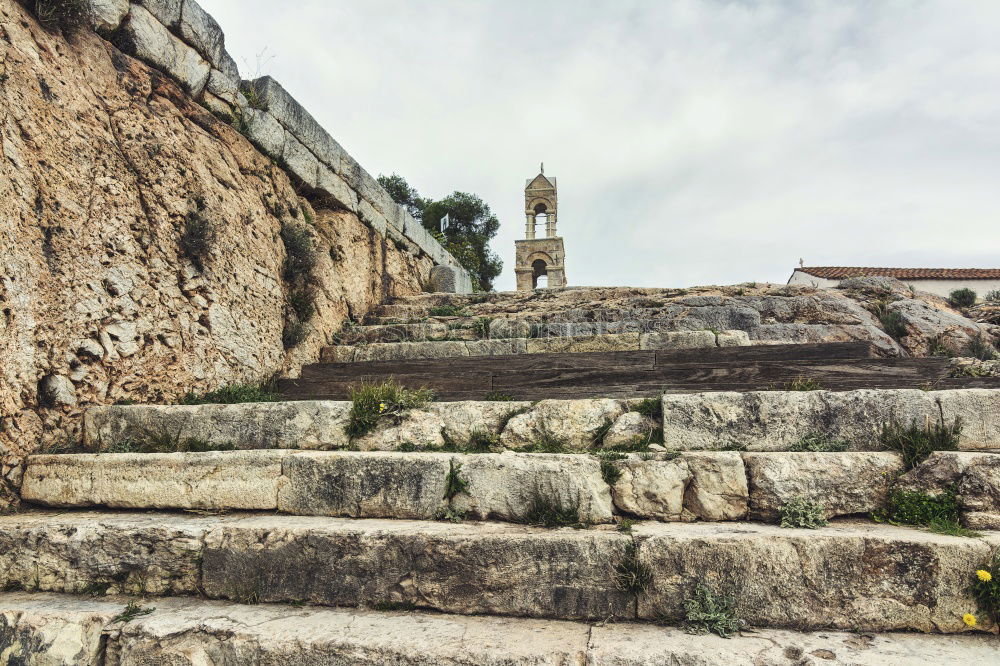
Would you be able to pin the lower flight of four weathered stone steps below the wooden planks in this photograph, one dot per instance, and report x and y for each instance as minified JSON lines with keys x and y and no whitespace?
{"x":451,"y":534}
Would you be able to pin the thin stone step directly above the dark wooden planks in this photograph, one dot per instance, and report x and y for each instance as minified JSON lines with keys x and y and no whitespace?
{"x":462,"y":345}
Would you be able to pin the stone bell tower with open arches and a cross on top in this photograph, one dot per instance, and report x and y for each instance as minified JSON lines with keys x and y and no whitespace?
{"x":538,"y":257}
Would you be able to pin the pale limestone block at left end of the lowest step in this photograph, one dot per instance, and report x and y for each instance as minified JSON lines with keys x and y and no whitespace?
{"x":52,"y":630}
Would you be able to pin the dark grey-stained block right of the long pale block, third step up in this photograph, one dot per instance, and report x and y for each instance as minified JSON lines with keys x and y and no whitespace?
{"x":365,"y":485}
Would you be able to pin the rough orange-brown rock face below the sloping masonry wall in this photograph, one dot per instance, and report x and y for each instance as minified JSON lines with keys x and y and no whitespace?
{"x":105,"y":162}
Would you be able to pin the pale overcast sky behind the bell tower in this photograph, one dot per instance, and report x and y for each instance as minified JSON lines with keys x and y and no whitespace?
{"x":695,"y":141}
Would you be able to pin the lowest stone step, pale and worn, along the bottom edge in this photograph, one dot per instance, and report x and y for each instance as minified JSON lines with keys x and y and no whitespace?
{"x":57,"y":629}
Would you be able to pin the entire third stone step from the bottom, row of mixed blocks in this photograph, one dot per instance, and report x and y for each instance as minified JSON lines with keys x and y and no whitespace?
{"x":712,"y":486}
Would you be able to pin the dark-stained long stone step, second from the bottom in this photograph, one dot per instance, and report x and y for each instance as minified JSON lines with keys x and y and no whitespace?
{"x":850,"y":575}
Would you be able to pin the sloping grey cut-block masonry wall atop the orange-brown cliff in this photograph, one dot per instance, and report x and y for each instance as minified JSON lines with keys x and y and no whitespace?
{"x":179,"y":38}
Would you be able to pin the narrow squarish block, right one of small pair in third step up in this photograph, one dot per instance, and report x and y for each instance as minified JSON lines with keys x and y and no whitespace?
{"x":718,"y":488}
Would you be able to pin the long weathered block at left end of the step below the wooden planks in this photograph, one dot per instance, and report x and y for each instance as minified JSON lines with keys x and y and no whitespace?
{"x":304,"y":424}
